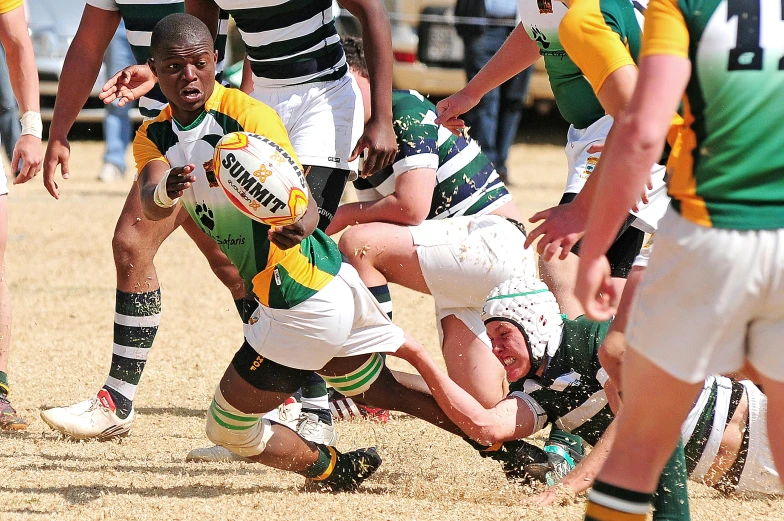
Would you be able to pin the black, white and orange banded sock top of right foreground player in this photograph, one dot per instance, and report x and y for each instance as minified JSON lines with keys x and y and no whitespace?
{"x":610,"y":503}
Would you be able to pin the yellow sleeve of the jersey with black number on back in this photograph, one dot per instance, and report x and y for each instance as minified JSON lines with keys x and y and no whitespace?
{"x":665,"y":30}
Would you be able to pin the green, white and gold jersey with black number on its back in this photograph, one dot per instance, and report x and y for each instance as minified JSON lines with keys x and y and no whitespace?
{"x":730,"y":171}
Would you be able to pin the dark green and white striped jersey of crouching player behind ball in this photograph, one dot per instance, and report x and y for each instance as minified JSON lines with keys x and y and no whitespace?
{"x":466,"y":181}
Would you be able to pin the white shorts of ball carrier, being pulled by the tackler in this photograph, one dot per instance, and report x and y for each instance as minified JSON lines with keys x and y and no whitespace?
{"x":341,"y":320}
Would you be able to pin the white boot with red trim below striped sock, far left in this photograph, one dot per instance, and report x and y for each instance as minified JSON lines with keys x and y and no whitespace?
{"x":91,"y":419}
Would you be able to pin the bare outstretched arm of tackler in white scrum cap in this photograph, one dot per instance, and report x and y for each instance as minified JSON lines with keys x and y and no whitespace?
{"x":510,"y":419}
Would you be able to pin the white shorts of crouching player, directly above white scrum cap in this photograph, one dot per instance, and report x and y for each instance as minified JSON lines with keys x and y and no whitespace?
{"x":464,"y":258}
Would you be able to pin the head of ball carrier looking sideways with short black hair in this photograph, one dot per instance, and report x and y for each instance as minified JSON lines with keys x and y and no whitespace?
{"x":183,"y":59}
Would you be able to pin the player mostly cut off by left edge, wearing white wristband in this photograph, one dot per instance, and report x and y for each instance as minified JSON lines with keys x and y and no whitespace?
{"x":25,"y":163}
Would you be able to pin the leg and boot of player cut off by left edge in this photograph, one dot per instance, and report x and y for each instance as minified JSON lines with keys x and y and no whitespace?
{"x":9,"y":419}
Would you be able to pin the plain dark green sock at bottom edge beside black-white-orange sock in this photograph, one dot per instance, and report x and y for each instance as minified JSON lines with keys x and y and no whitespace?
{"x":671,"y":499}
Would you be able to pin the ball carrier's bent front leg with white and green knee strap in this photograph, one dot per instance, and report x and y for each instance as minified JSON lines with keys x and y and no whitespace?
{"x":253,"y":385}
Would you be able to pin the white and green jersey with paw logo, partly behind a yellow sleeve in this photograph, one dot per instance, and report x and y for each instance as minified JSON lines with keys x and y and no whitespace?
{"x":573,"y":94}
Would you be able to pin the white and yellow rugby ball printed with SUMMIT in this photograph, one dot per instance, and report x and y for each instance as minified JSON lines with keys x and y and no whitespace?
{"x":260,"y":178}
